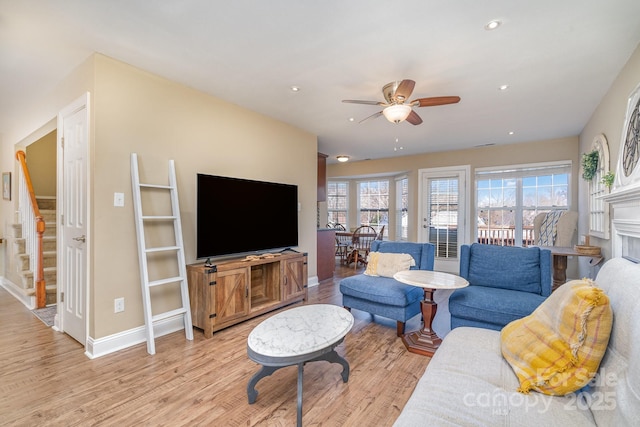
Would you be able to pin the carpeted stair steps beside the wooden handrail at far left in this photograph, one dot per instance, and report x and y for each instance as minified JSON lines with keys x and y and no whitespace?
{"x":48,"y":211}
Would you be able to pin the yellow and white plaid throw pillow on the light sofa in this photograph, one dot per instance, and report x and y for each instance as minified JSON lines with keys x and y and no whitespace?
{"x":557,"y":349}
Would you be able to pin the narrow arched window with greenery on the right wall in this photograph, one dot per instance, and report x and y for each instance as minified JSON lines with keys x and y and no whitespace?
{"x":598,"y":209}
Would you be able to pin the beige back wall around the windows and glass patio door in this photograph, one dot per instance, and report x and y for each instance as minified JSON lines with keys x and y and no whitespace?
{"x":531,"y":152}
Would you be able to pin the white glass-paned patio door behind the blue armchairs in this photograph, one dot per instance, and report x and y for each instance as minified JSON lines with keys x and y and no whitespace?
{"x":442,"y":213}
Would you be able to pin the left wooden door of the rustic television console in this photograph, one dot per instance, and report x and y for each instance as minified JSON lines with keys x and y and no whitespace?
{"x":231,"y":295}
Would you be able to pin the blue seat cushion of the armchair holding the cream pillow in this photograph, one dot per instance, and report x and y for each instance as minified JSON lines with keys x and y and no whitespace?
{"x":383,"y":290}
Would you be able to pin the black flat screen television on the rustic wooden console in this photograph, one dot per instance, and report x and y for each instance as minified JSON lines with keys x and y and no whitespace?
{"x":236,"y":216}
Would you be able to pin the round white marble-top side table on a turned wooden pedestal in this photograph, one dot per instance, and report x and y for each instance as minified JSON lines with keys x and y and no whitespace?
{"x":425,"y":341}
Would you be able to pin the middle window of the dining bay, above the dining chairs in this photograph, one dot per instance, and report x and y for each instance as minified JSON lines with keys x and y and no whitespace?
{"x":373,"y":203}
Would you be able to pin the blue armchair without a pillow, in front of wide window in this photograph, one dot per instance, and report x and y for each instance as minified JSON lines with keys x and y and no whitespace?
{"x":505,"y":283}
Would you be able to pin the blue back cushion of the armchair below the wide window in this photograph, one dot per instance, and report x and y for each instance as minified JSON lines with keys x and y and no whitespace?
{"x":505,"y":267}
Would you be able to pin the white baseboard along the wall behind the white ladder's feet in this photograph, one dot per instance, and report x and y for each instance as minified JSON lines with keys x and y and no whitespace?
{"x":98,"y":347}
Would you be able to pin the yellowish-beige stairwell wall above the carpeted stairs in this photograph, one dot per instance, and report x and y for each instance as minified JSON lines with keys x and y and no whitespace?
{"x":41,"y":160}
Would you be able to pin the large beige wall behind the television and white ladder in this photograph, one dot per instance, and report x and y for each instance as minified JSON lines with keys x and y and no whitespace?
{"x":135,"y":111}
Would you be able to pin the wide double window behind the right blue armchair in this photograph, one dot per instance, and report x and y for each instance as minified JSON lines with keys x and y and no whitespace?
{"x":508,"y":200}
